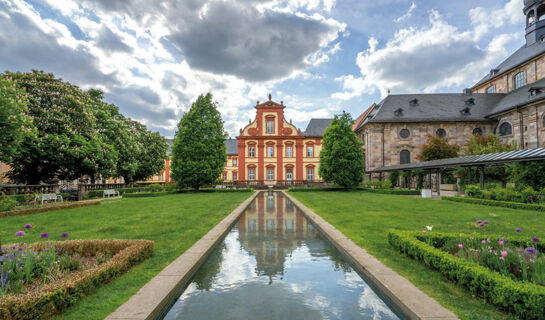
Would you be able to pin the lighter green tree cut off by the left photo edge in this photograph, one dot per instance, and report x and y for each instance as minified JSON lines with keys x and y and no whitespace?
{"x":15,"y":122}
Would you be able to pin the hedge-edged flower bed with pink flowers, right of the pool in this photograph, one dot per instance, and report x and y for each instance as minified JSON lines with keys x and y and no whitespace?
{"x":466,"y":260}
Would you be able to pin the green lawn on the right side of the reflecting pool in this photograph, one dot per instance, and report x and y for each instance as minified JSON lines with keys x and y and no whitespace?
{"x":366,"y":217}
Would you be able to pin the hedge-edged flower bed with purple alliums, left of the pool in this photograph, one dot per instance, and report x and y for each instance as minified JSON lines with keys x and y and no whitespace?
{"x":49,"y":298}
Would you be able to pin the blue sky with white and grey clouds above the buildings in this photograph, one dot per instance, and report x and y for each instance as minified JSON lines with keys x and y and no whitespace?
{"x":152,"y":58}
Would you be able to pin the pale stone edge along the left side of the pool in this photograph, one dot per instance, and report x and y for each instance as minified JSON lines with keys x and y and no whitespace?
{"x":149,"y":302}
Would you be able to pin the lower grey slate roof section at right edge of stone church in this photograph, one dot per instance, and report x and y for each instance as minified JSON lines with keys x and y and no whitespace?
{"x":520,"y":97}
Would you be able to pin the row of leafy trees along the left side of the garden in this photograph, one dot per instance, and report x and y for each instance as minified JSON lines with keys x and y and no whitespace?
{"x":60,"y":132}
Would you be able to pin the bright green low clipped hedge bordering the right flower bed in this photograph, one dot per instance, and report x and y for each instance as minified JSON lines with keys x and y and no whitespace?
{"x":525,"y":300}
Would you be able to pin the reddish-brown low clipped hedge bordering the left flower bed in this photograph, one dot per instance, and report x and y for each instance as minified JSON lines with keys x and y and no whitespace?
{"x":59,"y":295}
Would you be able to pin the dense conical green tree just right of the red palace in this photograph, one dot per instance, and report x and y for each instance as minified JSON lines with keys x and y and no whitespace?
{"x":342,"y":159}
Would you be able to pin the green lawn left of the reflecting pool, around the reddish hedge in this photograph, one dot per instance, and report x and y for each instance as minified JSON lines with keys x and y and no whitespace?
{"x":173,"y":222}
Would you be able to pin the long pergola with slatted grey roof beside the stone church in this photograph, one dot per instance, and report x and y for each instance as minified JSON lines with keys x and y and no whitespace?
{"x":480,"y":161}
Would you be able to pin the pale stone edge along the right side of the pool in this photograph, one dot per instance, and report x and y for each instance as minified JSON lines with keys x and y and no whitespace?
{"x":411,"y":301}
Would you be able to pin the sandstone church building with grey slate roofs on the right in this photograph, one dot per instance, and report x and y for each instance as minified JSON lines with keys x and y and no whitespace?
{"x":508,"y":101}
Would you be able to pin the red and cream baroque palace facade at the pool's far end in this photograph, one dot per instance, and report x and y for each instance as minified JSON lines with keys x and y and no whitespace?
{"x":271,"y":150}
